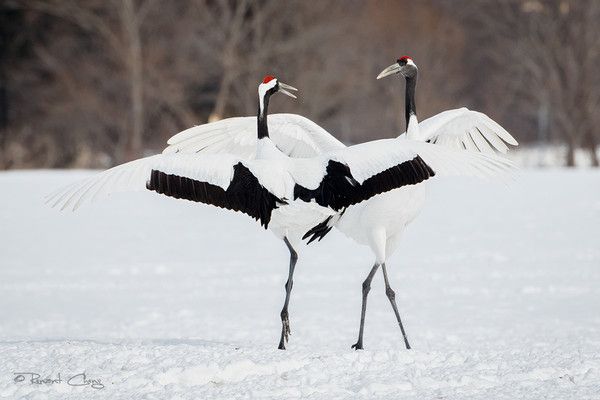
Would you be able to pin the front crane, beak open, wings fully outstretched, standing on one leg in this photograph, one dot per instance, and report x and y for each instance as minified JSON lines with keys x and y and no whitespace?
{"x":289,"y":196}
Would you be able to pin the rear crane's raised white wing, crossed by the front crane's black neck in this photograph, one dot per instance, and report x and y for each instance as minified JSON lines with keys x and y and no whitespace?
{"x":294,"y":135}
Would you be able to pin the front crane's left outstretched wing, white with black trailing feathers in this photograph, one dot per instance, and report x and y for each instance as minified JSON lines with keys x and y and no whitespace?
{"x":223,"y":181}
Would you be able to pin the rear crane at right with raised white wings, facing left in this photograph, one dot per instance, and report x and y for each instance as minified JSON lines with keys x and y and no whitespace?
{"x":380,"y":221}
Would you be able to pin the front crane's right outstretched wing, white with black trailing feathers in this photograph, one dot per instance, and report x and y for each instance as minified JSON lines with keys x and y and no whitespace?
{"x":357,"y":173}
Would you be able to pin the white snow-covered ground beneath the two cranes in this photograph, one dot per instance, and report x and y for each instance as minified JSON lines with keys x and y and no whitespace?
{"x":499,"y":288}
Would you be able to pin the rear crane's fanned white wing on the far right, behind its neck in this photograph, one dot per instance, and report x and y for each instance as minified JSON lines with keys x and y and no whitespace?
{"x":466,"y":129}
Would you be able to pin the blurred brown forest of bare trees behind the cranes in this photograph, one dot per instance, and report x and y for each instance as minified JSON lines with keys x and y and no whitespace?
{"x":91,"y":83}
